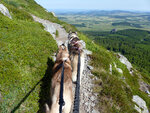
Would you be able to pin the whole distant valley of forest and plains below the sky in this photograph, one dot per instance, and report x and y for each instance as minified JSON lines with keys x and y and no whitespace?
{"x":120,"y":31}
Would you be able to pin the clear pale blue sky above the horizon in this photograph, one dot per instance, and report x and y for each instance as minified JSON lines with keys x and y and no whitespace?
{"x":137,"y":5}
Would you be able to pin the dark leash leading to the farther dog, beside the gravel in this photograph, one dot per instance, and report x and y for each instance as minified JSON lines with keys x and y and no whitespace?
{"x":77,"y":90}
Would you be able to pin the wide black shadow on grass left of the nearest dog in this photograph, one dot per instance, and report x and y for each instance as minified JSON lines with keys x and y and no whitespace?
{"x":45,"y":87}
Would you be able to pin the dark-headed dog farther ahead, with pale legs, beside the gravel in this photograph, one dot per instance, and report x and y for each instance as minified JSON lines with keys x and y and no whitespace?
{"x":75,"y":45}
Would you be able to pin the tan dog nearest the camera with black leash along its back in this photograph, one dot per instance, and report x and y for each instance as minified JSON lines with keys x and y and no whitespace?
{"x":62,"y":56}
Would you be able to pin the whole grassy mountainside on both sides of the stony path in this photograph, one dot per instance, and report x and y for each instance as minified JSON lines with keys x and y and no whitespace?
{"x":25,"y":47}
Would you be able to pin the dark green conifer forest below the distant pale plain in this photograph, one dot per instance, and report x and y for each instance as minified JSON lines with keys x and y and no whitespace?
{"x":133,"y":43}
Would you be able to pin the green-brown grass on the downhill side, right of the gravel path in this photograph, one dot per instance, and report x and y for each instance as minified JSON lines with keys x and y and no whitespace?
{"x":115,"y":94}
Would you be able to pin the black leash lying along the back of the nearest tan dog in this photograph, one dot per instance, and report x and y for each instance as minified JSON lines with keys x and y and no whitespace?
{"x":61,"y":99}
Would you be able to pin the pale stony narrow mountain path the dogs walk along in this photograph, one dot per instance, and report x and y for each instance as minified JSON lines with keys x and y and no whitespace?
{"x":88,"y":99}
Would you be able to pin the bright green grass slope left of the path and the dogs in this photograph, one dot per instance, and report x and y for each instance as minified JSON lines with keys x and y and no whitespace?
{"x":24,"y":50}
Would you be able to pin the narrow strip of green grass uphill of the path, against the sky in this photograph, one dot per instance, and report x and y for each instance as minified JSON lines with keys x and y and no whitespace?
{"x":32,"y":7}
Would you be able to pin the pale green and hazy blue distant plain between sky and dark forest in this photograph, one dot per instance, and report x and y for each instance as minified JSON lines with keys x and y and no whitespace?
{"x":103,"y":21}
